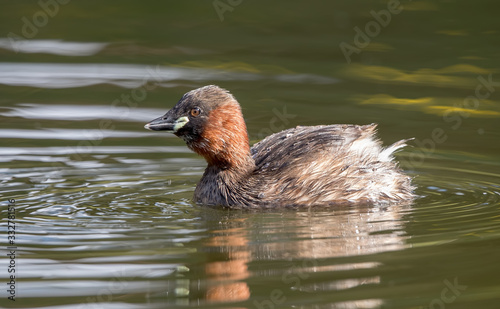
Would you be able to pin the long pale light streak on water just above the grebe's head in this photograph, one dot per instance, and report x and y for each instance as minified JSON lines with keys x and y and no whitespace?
{"x":66,"y":75}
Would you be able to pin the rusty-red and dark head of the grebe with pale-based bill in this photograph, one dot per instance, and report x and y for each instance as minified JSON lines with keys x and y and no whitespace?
{"x":210,"y":121}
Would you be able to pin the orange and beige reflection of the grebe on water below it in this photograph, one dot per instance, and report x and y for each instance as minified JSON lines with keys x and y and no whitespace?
{"x":300,"y":247}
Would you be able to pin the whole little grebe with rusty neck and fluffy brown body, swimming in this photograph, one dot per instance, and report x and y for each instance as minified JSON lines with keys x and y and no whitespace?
{"x":302,"y":166}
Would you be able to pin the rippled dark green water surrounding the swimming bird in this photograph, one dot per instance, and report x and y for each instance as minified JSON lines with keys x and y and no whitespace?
{"x":103,"y":210}
